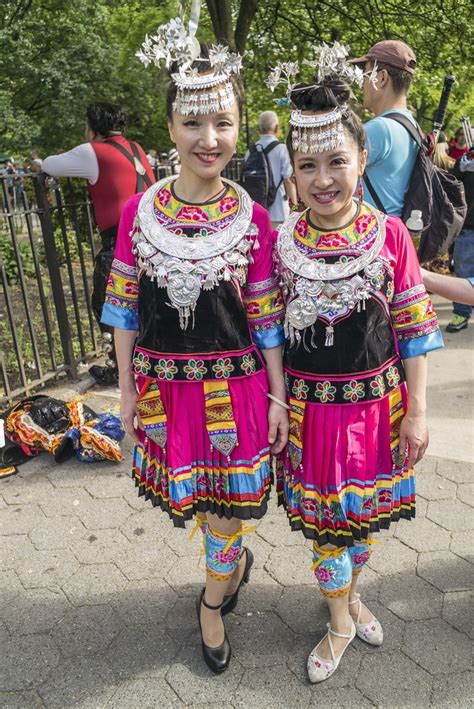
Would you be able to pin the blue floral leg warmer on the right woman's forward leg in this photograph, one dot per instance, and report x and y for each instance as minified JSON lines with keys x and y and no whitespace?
{"x":333,"y":570}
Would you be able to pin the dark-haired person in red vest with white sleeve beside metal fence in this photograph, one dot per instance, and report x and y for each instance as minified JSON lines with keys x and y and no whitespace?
{"x":116,"y":170}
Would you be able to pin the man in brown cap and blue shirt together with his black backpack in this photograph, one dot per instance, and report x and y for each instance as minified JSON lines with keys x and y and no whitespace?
{"x":400,"y":179}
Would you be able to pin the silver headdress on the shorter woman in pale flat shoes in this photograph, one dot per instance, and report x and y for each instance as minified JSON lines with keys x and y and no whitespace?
{"x":318,"y":132}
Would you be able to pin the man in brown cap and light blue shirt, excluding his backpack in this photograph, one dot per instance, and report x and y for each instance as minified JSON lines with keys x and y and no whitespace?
{"x":391,"y":150}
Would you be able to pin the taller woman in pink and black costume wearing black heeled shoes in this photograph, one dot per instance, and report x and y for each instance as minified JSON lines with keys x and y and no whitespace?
{"x":195,"y":305}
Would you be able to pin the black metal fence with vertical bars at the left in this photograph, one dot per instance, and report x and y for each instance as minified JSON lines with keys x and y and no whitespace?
{"x":47,"y":248}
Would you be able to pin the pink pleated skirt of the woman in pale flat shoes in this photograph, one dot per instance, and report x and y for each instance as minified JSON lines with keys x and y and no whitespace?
{"x":350,"y":482}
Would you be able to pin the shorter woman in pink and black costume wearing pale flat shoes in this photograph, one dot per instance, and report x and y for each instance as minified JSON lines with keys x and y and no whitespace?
{"x":359,"y":324}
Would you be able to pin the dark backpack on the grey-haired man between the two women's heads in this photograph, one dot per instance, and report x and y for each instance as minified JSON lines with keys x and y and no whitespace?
{"x":256,"y":176}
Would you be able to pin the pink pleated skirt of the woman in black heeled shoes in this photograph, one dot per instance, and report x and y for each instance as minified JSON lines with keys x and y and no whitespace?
{"x":188,"y":474}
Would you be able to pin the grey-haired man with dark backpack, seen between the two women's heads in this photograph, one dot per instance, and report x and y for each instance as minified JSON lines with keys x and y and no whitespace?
{"x":267,"y":171}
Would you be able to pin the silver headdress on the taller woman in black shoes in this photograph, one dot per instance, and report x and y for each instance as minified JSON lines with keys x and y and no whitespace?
{"x":174,"y":43}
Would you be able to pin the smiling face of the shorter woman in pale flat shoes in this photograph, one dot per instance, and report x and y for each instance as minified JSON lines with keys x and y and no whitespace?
{"x":327,"y":181}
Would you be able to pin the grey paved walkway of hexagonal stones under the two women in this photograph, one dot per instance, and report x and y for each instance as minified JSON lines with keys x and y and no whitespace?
{"x":97,"y":590}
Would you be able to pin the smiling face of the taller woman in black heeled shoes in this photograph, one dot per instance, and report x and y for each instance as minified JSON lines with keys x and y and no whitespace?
{"x":205,"y":143}
